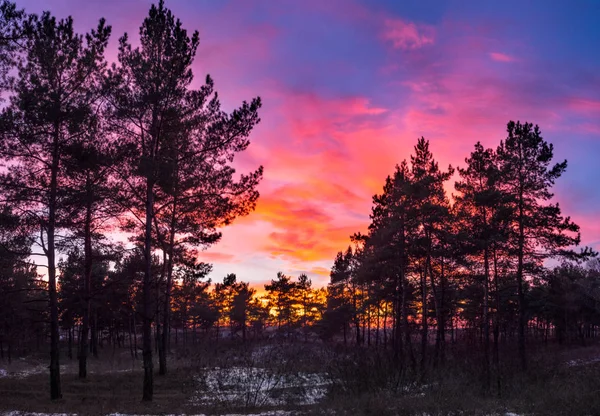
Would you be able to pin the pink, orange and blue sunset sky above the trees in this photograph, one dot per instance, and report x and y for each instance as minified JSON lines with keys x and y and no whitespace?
{"x":349,"y":86}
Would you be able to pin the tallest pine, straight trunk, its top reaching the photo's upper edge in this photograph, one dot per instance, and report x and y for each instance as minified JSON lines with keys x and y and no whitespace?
{"x":146,"y":91}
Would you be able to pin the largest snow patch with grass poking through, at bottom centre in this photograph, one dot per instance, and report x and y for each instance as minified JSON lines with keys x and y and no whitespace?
{"x":253,"y":387}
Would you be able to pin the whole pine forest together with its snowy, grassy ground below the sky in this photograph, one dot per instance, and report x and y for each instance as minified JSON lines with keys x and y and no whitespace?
{"x":114,"y":176}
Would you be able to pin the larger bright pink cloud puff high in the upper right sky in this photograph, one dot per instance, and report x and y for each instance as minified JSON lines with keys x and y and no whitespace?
{"x":407,"y":35}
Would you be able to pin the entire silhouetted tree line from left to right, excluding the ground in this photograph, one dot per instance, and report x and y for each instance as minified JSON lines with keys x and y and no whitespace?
{"x":89,"y":149}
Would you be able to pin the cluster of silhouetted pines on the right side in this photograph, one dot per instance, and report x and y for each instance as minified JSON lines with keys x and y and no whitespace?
{"x":476,"y":263}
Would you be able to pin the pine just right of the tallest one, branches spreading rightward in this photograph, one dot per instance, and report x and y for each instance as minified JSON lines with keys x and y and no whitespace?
{"x":198,"y":192}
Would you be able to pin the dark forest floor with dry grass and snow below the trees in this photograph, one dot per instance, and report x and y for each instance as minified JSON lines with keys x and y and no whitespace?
{"x":301,"y":379}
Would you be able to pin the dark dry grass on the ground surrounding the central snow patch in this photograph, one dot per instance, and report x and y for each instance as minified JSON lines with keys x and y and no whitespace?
{"x":362,"y":384}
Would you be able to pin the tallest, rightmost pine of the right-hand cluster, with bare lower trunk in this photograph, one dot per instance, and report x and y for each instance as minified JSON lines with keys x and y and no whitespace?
{"x":538,"y":229}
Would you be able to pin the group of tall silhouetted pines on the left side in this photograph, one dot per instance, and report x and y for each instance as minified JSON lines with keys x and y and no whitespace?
{"x":87,"y":146}
